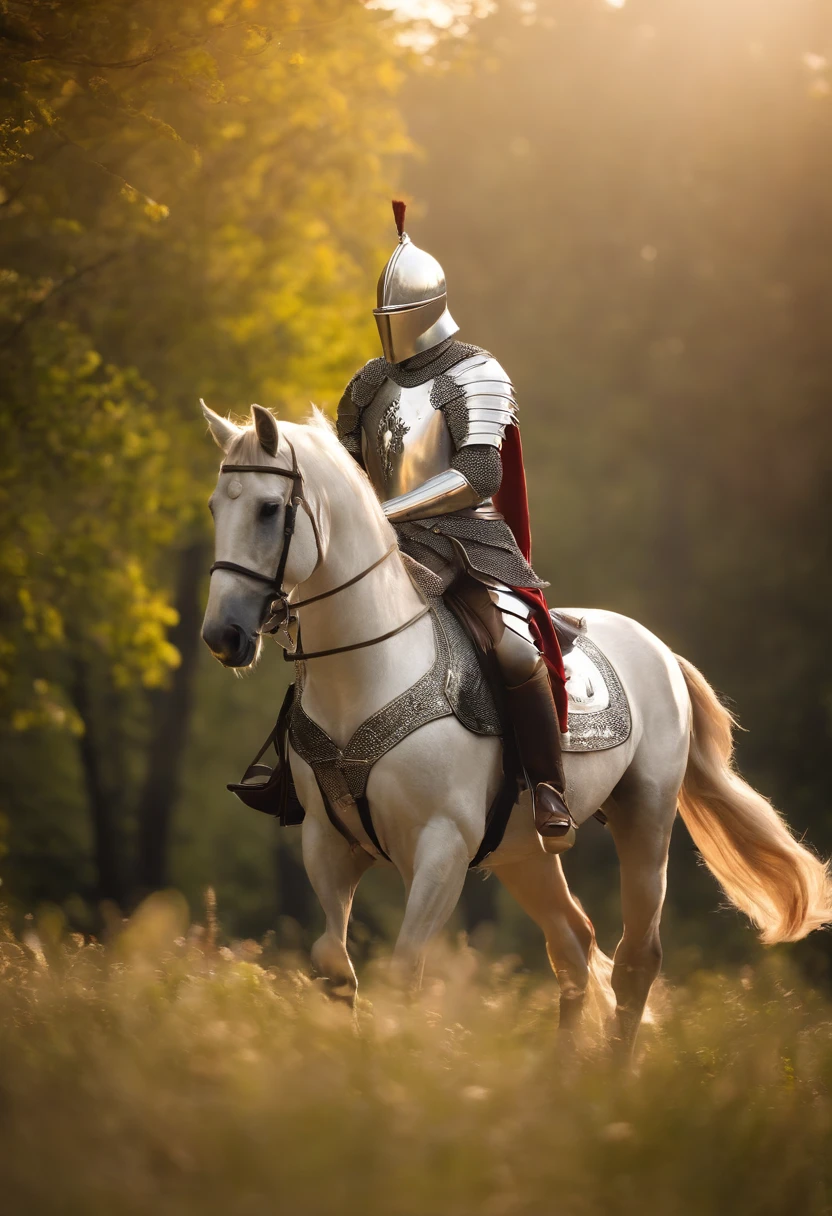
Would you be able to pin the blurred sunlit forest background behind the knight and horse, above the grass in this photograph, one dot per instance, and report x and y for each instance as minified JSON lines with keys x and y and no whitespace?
{"x":633,"y":204}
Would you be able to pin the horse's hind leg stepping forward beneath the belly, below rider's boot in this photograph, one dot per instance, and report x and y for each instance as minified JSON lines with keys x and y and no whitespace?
{"x":541,"y":888}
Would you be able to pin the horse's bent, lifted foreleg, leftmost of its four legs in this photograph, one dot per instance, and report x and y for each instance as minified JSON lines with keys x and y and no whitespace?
{"x":334,"y":871}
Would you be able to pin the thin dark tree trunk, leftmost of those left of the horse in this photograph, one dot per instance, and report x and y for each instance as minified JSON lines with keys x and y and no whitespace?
{"x":103,"y":810}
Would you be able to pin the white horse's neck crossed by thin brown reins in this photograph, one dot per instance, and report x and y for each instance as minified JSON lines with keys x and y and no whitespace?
{"x":341,"y":691}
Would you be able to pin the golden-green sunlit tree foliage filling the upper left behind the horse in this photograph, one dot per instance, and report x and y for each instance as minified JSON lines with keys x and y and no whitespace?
{"x":185,"y":213}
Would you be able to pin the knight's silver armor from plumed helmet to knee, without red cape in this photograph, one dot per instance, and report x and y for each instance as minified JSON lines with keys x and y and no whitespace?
{"x":428,"y":424}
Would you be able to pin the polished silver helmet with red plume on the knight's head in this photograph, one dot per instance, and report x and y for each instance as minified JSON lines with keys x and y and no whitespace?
{"x":413,"y":300}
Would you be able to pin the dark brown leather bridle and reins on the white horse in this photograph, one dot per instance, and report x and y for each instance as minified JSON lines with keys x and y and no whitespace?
{"x":277,"y":581}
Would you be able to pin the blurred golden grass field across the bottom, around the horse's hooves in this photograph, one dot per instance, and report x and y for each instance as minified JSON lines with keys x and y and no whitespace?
{"x":166,"y":1076}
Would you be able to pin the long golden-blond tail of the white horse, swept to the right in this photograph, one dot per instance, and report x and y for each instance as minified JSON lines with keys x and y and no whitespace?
{"x":783,"y":887}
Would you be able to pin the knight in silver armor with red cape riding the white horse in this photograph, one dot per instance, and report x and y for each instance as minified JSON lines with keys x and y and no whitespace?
{"x":435,"y":426}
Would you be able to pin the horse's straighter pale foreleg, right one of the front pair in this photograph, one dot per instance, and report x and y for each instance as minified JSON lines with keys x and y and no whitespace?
{"x":440,"y":866}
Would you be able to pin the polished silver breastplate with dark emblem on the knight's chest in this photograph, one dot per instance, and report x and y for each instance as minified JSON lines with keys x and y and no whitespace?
{"x":404,"y":441}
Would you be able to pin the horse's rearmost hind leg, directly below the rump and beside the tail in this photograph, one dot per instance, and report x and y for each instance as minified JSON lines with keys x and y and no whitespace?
{"x":640,"y":824}
